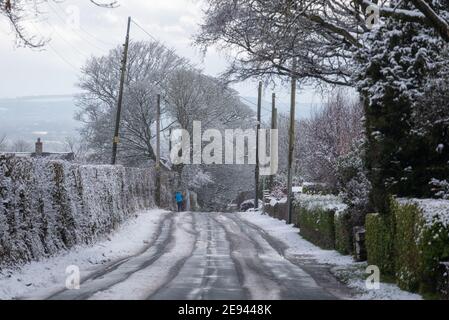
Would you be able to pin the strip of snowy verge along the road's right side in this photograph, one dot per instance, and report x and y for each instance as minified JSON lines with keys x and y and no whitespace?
{"x":344,"y":267}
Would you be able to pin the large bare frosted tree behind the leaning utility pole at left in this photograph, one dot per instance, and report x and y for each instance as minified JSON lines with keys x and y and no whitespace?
{"x":149,"y":66}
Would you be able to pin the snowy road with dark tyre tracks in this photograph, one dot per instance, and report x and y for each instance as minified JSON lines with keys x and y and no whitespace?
{"x":203,"y":256}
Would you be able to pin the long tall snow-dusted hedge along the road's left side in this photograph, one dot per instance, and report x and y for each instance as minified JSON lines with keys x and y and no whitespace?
{"x":47,"y":205}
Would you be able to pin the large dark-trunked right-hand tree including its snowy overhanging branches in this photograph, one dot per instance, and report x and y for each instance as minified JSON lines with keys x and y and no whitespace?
{"x":333,"y":40}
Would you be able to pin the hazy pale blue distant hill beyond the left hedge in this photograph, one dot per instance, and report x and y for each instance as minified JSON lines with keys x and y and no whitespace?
{"x":47,"y":117}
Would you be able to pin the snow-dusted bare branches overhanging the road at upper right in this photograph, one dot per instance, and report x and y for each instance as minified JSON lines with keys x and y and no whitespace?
{"x":263,"y":36}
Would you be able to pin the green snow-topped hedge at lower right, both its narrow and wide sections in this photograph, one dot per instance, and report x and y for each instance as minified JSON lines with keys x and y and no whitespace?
{"x":411,"y":243}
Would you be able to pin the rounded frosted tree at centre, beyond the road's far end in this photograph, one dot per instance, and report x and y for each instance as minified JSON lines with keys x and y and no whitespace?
{"x":192,"y":96}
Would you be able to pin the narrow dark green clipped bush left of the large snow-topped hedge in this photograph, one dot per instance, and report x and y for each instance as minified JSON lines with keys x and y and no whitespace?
{"x":379,"y":243}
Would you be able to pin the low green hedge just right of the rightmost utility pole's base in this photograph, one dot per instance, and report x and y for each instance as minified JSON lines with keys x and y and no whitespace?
{"x":317,"y":226}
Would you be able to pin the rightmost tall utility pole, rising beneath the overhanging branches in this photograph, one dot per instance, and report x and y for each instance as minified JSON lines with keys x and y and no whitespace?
{"x":291,"y":143}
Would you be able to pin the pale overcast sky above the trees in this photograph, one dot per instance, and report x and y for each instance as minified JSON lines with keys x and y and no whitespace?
{"x":55,"y":69}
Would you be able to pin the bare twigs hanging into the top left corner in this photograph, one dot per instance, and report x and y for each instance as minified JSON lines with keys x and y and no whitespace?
{"x":18,"y":12}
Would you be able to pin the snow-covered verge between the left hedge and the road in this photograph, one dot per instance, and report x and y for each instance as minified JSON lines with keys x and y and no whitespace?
{"x":39,"y":279}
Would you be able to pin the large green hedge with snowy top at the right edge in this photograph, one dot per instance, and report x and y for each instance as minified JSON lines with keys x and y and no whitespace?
{"x":421,"y":241}
